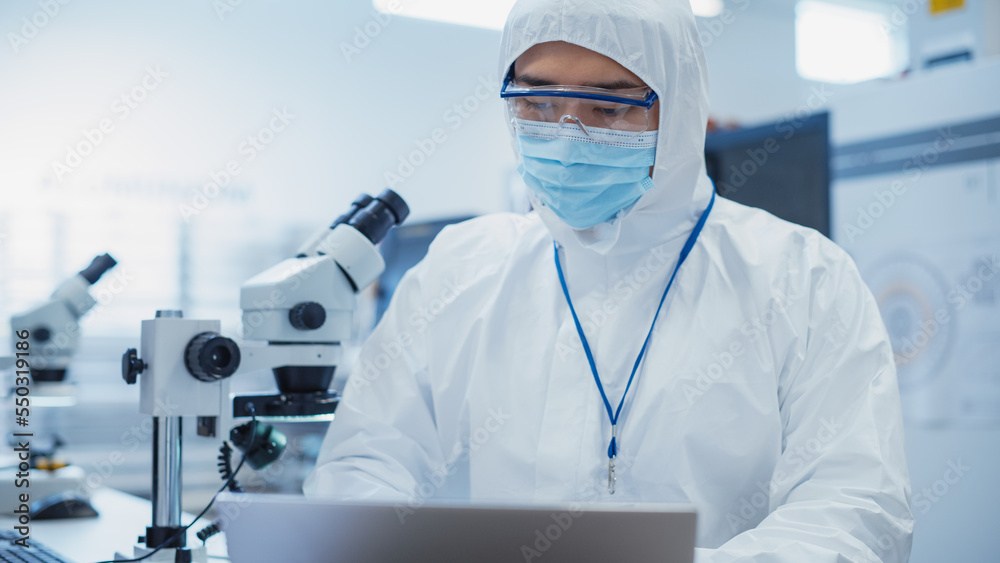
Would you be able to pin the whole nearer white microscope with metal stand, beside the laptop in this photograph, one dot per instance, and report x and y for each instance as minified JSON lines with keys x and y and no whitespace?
{"x":295,"y":317}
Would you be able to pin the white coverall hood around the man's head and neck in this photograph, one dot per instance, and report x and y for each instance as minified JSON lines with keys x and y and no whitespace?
{"x":658,"y":41}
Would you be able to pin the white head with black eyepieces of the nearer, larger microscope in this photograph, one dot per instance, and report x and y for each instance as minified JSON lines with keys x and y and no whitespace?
{"x":296,"y":314}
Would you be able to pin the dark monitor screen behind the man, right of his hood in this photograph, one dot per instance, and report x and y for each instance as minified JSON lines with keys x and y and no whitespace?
{"x":782,"y":168}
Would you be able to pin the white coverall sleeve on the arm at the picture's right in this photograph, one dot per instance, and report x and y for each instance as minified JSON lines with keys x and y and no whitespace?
{"x":840,"y":490}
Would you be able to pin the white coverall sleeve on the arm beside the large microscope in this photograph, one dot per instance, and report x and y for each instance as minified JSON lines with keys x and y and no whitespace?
{"x":383,"y":438}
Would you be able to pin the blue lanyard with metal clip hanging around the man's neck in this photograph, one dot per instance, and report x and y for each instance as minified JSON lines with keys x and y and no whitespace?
{"x":613,"y":415}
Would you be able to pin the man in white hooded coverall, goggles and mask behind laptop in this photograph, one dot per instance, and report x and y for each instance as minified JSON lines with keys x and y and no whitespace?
{"x":764,"y":392}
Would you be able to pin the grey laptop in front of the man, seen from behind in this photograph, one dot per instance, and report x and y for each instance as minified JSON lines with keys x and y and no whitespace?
{"x":293,"y":529}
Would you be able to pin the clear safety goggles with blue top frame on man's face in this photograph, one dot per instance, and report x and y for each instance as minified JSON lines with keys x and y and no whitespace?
{"x":582,"y":107}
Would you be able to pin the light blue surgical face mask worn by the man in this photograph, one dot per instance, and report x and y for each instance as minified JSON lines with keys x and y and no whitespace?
{"x":585,"y":179}
